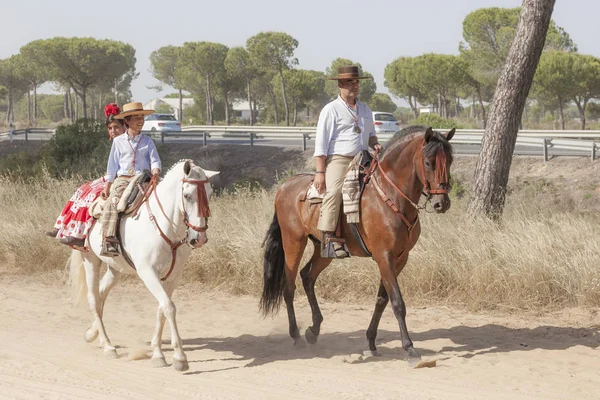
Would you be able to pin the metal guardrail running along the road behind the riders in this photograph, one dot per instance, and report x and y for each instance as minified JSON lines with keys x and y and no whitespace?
{"x":573,"y":140}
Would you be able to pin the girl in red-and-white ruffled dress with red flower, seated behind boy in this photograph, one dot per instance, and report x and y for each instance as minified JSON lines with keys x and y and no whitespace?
{"x":74,"y":222}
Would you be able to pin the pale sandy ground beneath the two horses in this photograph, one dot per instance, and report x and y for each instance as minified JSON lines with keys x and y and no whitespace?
{"x":235,"y":354}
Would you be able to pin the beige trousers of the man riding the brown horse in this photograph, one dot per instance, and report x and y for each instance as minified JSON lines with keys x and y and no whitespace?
{"x":336,"y":167}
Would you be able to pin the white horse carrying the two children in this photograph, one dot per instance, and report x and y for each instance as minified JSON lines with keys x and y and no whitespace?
{"x":176,"y":213}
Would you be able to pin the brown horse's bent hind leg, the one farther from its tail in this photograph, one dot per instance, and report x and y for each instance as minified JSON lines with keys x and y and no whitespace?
{"x":309,"y":275}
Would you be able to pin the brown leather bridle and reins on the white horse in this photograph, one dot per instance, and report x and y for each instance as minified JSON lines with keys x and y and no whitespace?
{"x":203,"y":211}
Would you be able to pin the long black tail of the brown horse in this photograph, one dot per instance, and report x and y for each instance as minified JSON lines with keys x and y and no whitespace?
{"x":274,"y":269}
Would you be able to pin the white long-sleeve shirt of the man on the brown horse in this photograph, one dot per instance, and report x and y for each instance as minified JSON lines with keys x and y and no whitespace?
{"x":335,"y":129}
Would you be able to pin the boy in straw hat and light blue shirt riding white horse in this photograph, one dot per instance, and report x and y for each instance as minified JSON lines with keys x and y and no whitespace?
{"x":130,"y":154}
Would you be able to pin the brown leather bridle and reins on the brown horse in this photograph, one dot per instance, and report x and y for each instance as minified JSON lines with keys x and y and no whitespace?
{"x":441,"y":177}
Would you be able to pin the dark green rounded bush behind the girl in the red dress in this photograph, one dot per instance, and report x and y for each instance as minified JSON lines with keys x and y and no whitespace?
{"x":80,"y":148}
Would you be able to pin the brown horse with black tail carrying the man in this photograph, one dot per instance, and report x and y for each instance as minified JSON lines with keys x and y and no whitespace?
{"x":415,"y":161}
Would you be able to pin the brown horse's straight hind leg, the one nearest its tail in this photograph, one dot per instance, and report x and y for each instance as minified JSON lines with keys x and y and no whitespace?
{"x":293,"y":249}
